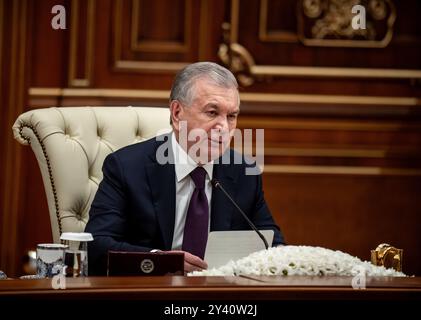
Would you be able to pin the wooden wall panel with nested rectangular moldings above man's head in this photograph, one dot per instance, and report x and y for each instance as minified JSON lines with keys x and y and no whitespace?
{"x":118,"y":64}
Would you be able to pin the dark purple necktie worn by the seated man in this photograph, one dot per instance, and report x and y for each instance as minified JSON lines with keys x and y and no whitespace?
{"x":197,"y":219}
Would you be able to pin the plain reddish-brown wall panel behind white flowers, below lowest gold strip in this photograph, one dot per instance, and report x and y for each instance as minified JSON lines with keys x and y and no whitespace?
{"x":348,"y":212}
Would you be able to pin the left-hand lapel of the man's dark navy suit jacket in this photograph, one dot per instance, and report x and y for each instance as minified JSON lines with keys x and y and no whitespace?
{"x":162,"y":183}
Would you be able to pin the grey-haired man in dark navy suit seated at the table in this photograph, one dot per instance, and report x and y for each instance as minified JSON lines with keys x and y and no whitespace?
{"x":150,"y":198}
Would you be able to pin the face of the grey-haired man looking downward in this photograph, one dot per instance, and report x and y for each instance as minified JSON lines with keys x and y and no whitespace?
{"x":210,"y":119}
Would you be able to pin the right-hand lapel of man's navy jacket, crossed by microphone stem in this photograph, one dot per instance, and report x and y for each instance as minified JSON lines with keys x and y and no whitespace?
{"x":221,"y":207}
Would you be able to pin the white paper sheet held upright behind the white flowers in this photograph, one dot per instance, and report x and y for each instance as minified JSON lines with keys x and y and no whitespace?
{"x":224,"y":246}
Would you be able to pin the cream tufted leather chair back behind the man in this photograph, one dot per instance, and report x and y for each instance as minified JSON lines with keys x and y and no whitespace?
{"x":70,"y":145}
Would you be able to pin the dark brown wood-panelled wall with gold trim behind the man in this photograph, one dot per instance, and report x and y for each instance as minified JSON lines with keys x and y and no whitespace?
{"x":340,"y":107}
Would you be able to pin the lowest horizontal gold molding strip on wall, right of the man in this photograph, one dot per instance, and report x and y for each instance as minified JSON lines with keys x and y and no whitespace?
{"x":339,"y":170}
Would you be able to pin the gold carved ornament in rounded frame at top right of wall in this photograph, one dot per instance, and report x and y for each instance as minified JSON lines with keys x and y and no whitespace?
{"x":329,"y":23}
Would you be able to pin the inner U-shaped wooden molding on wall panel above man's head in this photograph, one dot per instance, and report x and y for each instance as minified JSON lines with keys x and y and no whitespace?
{"x":160,"y":46}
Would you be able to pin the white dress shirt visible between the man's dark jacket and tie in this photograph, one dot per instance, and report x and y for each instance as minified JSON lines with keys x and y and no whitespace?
{"x":184,"y":187}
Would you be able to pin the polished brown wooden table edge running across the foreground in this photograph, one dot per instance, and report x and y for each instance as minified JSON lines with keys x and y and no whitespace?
{"x":220,"y":288}
